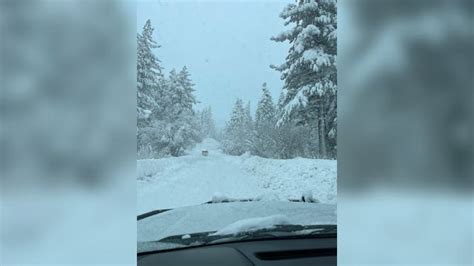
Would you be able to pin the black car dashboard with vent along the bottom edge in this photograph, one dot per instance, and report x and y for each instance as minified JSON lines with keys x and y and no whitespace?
{"x":301,"y":251}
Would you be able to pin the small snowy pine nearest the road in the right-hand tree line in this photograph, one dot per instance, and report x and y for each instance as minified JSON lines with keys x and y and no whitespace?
{"x":234,"y":133}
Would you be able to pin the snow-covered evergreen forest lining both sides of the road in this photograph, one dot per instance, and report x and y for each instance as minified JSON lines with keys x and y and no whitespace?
{"x":302,"y":122}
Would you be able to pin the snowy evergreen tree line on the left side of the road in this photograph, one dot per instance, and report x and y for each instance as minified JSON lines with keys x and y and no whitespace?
{"x":167,"y":122}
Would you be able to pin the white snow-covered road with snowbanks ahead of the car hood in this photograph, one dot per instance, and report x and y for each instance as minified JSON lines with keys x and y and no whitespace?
{"x":194,"y":179}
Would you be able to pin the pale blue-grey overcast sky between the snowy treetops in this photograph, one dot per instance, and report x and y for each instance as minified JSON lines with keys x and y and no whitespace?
{"x":225,"y":45}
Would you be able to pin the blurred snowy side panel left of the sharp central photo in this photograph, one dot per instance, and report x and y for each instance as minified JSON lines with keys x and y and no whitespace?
{"x":67,"y":132}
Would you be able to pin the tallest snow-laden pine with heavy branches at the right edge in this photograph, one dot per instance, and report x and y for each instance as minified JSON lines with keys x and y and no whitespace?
{"x":310,"y":69}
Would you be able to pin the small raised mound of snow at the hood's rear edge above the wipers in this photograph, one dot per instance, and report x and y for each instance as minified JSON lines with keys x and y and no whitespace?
{"x":253,"y":224}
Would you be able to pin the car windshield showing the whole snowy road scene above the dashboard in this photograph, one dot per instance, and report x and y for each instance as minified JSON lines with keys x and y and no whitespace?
{"x":236,"y":121}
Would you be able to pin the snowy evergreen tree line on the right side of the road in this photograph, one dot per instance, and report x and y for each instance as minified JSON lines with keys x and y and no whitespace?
{"x":304,"y":120}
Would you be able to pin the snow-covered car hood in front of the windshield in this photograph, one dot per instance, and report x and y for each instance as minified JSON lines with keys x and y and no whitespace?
{"x":214,"y":217}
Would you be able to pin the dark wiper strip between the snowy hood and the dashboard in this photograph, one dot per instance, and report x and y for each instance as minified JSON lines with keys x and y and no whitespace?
{"x":278,"y":231}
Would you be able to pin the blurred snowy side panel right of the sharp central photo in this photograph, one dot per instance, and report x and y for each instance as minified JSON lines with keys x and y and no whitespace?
{"x":405,"y":168}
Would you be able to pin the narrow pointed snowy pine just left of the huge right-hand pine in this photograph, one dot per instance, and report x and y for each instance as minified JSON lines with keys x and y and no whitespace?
{"x":264,"y":125}
